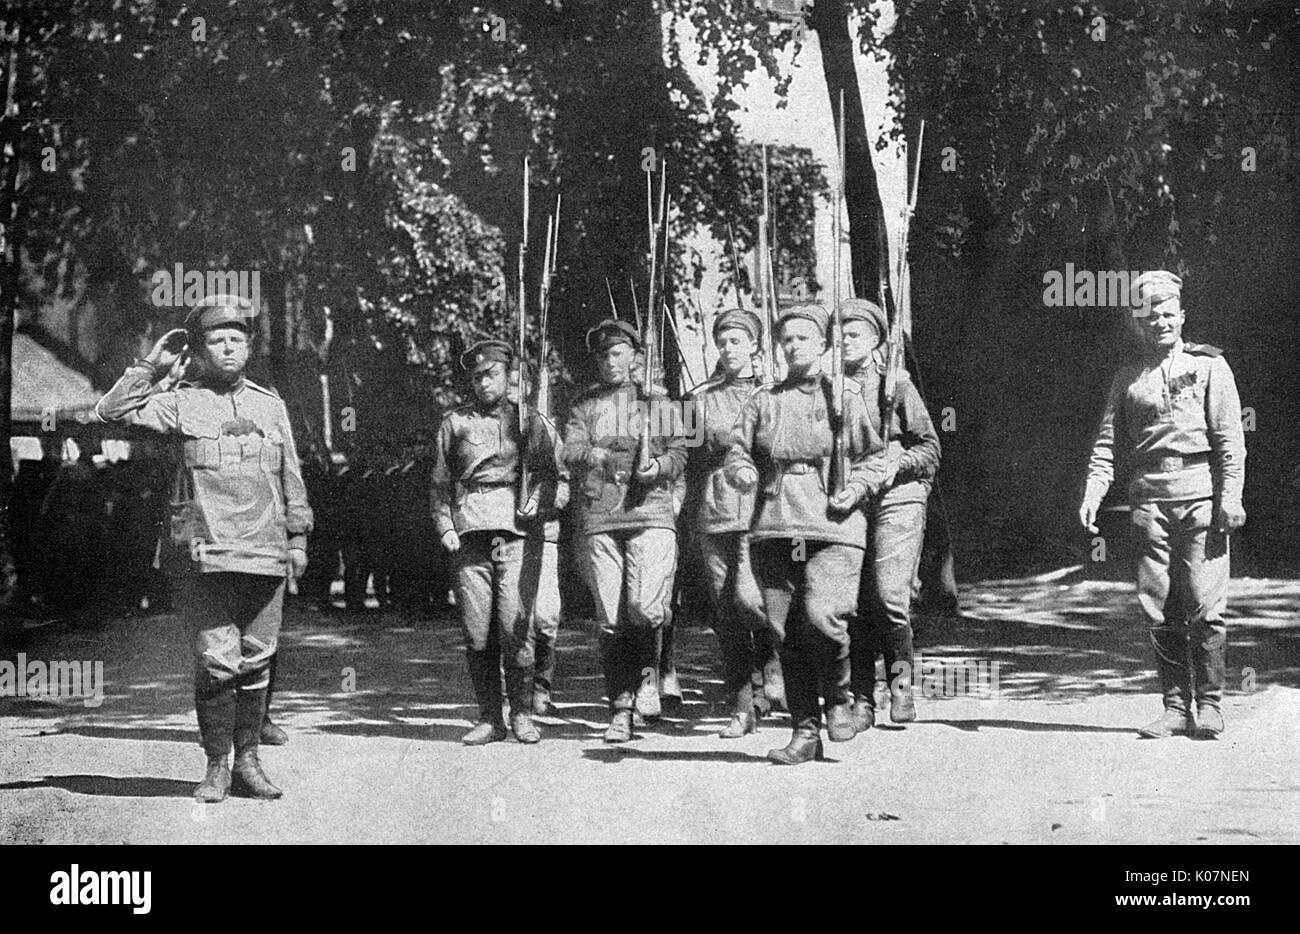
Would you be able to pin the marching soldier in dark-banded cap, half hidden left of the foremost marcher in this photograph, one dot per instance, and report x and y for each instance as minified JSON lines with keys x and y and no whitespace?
{"x":722,"y":518}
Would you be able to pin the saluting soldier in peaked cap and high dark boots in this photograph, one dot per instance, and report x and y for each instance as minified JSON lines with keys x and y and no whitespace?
{"x":240,"y":512}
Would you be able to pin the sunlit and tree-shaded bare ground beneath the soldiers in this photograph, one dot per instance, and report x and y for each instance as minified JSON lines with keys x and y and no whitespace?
{"x":376,"y":704}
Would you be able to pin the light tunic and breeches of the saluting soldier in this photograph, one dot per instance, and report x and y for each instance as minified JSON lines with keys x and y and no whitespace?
{"x":239,"y":505}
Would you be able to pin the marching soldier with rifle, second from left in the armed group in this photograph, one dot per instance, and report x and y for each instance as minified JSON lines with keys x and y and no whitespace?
{"x":626,"y":520}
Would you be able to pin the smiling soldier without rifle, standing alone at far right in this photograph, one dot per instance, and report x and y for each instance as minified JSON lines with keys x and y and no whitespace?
{"x":1178,"y":416}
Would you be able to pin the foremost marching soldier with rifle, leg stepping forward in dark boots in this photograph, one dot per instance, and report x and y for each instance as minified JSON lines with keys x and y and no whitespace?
{"x":807,"y":542}
